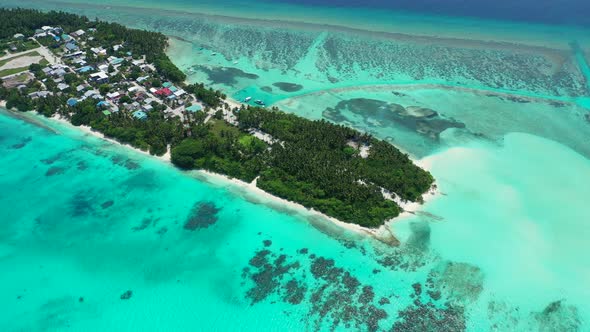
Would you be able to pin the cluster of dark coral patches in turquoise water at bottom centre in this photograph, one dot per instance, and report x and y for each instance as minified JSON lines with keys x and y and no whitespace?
{"x":338,"y":299}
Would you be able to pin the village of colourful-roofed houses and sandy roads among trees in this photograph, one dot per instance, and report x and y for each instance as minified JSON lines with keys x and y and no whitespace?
{"x":70,"y":64}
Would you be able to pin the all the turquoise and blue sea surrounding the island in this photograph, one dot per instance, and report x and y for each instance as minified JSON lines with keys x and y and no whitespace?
{"x":494,"y":101}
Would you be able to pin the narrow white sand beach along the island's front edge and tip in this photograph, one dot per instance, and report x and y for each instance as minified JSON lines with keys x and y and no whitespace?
{"x":383,"y":233}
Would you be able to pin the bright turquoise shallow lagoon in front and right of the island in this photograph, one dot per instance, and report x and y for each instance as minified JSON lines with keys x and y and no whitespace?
{"x":506,"y":243}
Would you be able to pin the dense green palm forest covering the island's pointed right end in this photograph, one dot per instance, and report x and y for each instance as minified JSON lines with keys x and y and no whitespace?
{"x":313,"y":163}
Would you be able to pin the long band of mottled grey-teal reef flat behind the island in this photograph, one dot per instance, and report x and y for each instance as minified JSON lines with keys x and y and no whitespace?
{"x":348,"y":56}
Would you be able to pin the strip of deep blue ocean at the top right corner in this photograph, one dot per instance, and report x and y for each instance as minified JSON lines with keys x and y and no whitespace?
{"x":573,"y":12}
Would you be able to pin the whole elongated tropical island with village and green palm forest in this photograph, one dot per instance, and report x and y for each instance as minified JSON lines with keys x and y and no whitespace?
{"x":120,"y":82}
